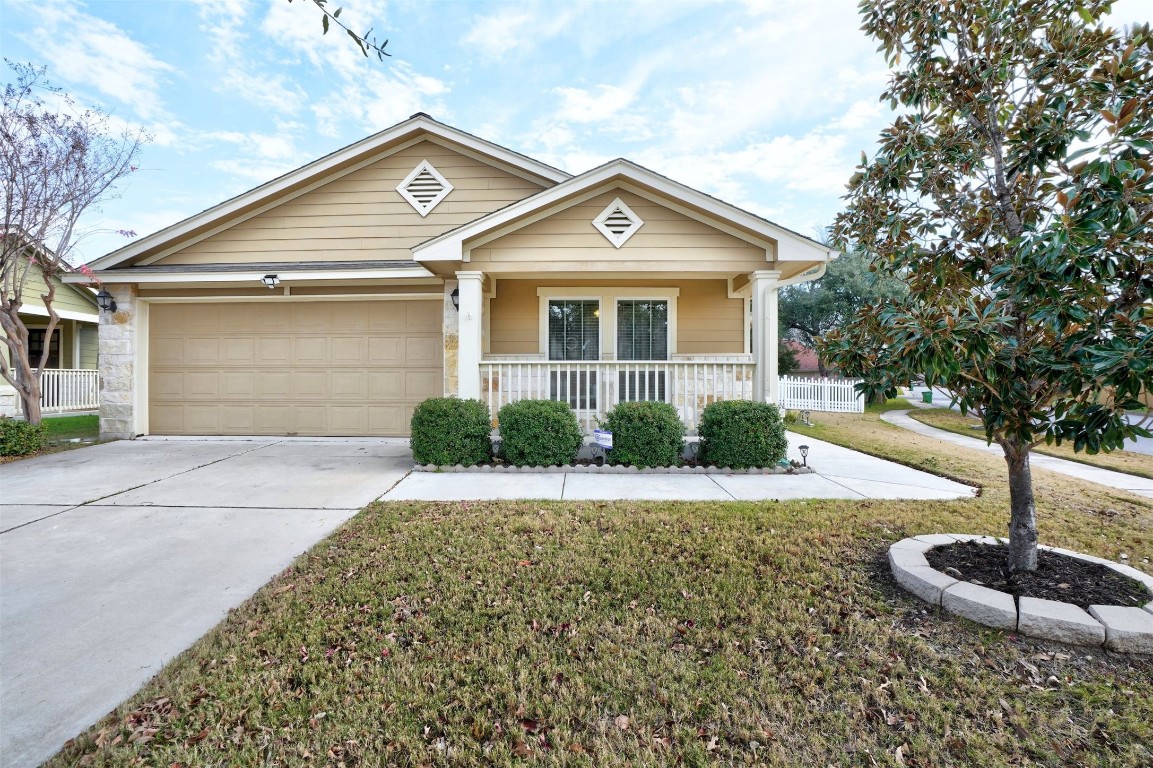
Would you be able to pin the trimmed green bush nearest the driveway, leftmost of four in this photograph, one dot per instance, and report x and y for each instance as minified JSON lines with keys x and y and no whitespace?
{"x":450,"y":431}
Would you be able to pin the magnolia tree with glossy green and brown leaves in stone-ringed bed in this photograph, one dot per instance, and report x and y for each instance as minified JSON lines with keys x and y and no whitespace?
{"x":1015,"y":194}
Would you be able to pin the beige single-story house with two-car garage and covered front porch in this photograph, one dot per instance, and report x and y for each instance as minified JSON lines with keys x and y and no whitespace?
{"x":425,"y":262}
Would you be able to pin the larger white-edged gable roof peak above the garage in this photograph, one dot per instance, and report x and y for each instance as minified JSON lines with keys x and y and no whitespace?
{"x":331,"y":167}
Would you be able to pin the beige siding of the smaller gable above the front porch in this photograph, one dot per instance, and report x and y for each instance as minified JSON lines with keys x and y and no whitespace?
{"x":668,"y":240}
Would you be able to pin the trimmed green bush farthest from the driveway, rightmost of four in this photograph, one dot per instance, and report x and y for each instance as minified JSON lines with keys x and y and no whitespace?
{"x":742,"y":434}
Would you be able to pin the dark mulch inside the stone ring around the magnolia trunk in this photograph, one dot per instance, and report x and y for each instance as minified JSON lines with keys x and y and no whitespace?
{"x":1058,"y":577}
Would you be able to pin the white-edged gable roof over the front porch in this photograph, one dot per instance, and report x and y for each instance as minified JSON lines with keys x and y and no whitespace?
{"x":626,"y":175}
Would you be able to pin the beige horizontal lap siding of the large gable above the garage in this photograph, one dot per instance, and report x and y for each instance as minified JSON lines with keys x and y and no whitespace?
{"x":363,"y":216}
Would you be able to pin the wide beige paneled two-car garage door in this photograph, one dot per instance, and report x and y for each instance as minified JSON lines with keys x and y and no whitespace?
{"x":338,"y":368}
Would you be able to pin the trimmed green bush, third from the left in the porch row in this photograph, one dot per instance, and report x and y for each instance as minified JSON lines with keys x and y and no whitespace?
{"x":646,"y":434}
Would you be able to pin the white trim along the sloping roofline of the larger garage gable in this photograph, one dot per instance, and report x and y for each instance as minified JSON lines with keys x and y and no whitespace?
{"x":326,"y":170}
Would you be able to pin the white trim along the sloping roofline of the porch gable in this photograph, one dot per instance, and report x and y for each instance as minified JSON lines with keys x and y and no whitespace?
{"x":787,"y":246}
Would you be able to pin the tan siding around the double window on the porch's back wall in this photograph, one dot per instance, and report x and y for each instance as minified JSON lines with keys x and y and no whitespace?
{"x":709,"y":321}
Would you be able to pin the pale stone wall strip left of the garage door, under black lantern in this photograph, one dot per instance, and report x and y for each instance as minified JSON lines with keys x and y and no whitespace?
{"x":118,"y":366}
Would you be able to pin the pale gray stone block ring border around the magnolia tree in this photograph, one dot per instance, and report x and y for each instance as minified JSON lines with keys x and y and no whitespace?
{"x":1127,"y":630}
